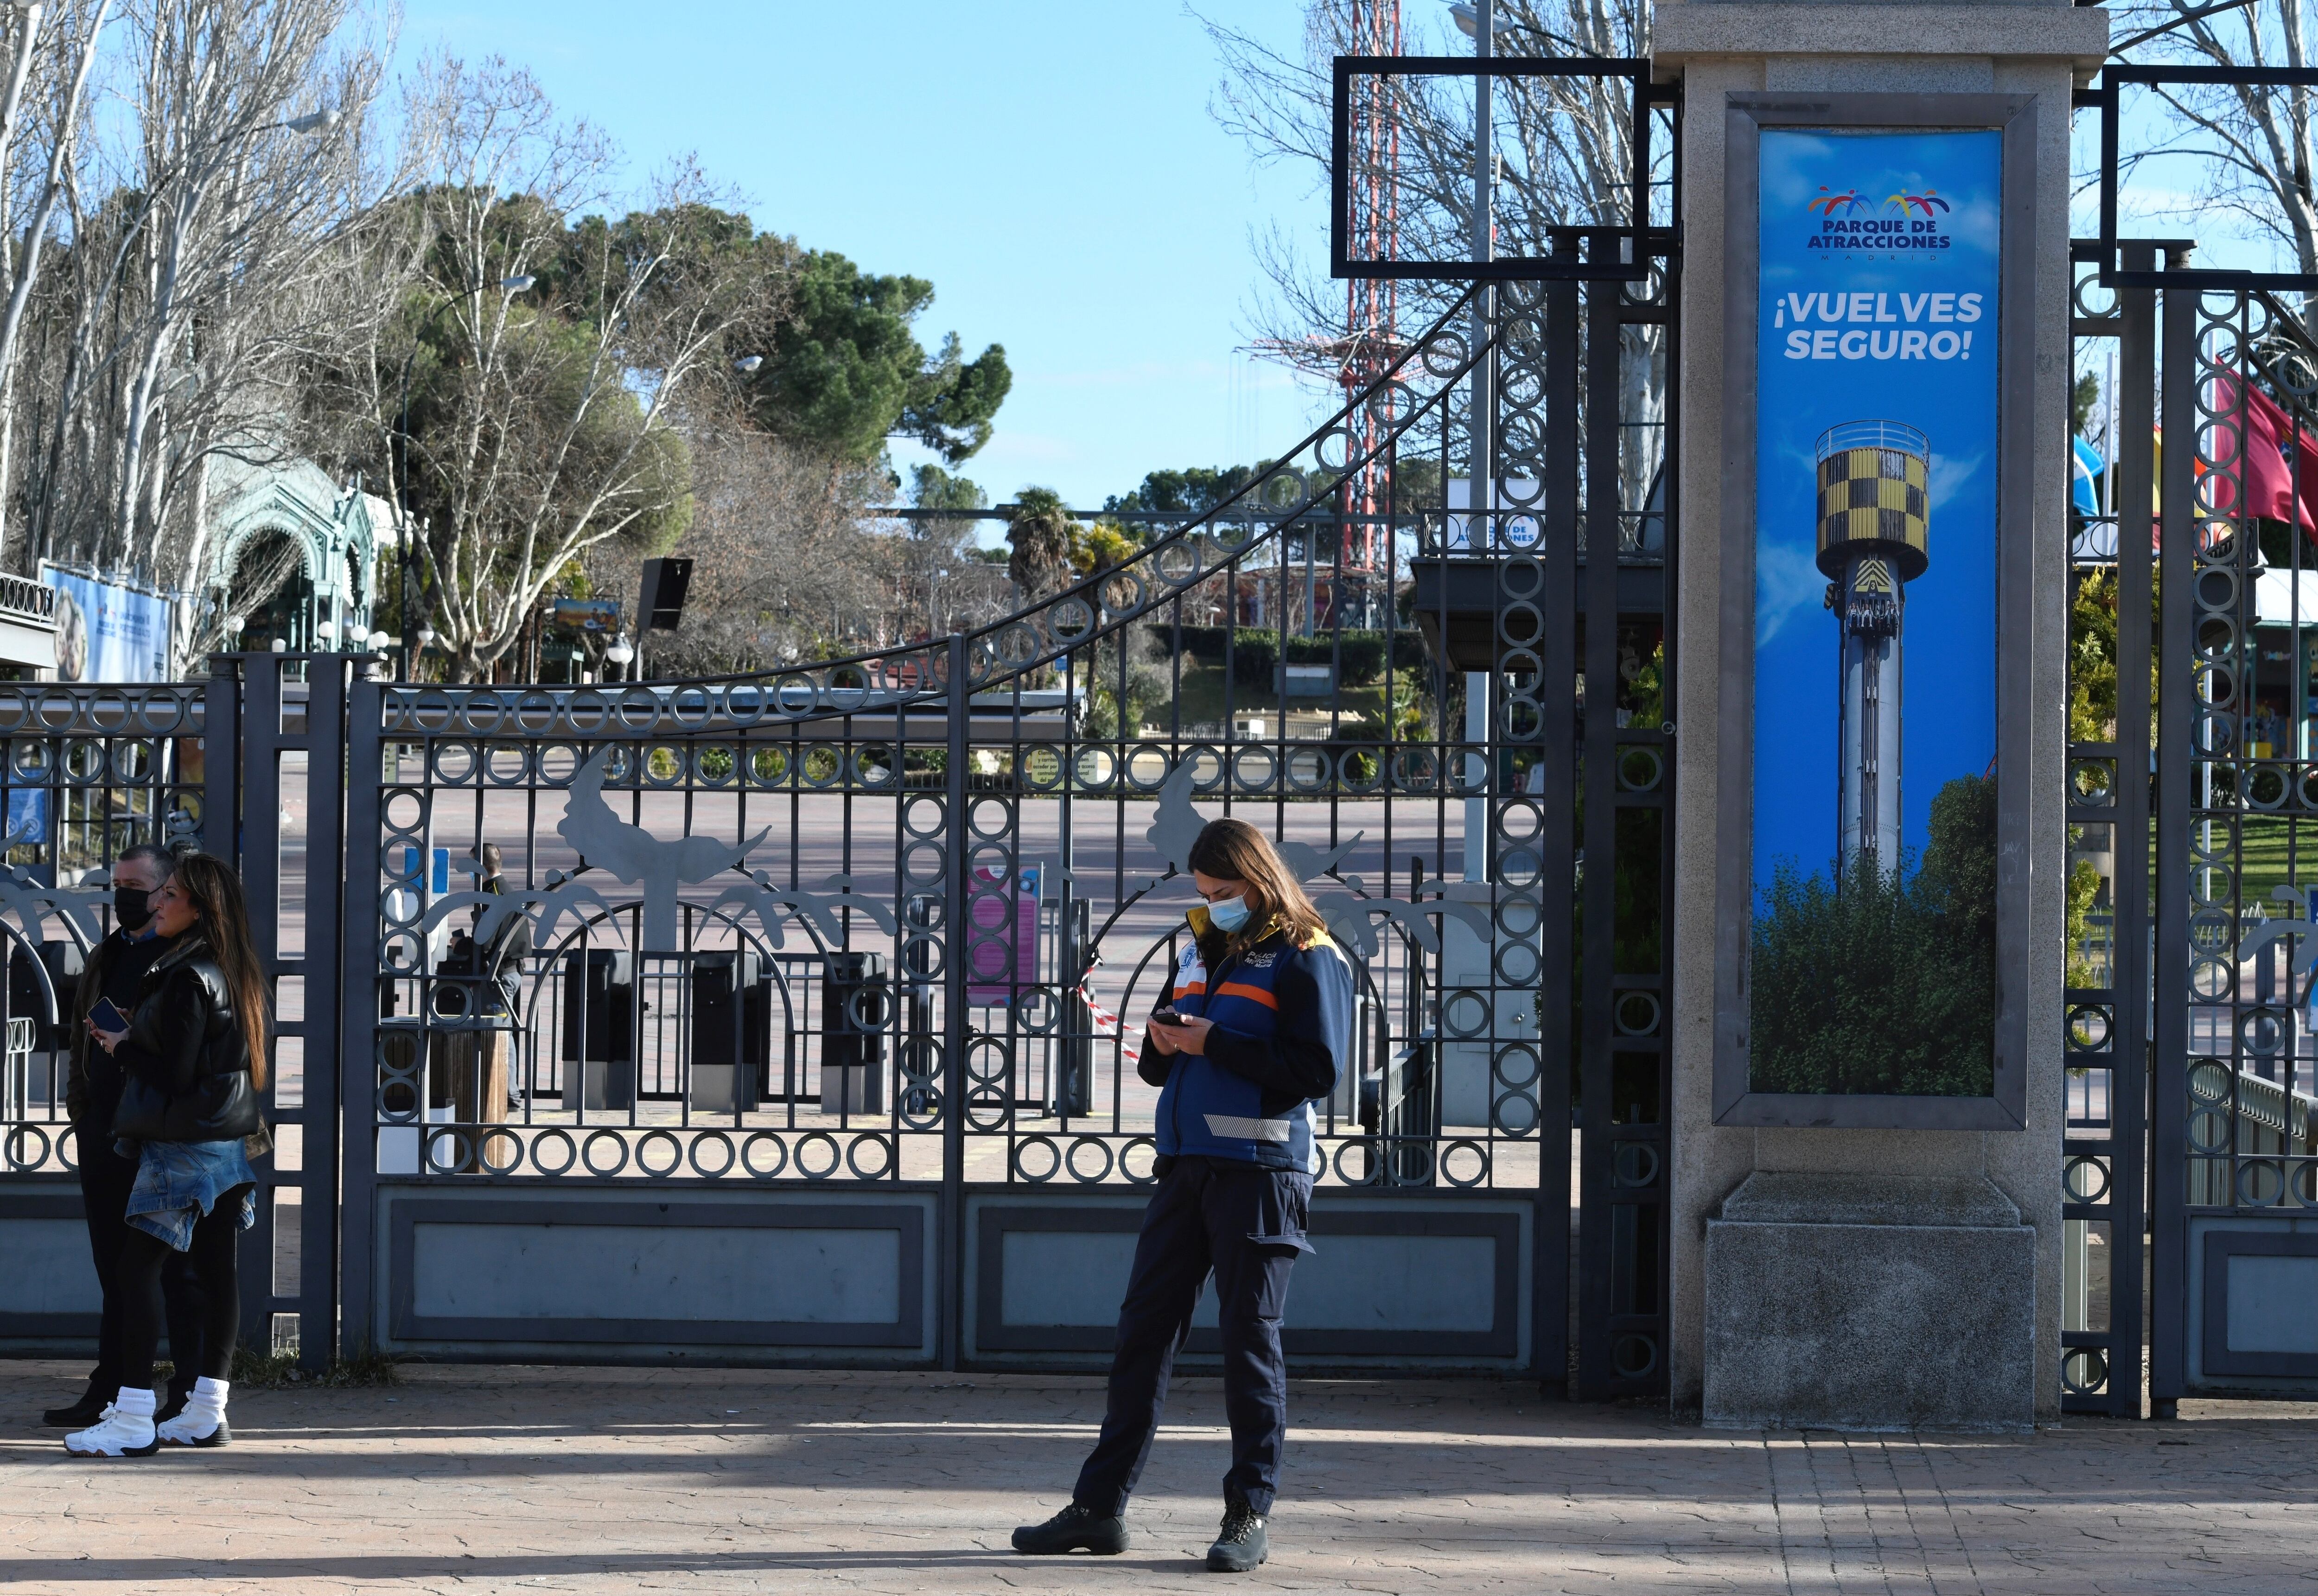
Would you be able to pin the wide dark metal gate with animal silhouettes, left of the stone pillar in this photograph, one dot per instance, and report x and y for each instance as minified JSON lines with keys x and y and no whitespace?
{"x":801,"y":1018}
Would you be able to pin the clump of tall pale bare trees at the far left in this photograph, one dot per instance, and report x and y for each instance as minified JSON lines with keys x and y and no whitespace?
{"x":198,"y":270}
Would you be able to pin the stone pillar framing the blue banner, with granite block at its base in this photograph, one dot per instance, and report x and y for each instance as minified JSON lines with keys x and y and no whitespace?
{"x":1839,"y":1275}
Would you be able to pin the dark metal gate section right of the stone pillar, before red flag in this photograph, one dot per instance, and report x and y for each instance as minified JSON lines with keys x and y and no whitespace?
{"x":2189,"y":1013}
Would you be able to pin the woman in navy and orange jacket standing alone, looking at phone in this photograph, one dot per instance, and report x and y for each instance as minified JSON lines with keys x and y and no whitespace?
{"x":1255,"y":1030}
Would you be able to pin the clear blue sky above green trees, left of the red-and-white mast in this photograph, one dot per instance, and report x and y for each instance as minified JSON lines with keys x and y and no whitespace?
{"x":1051,"y":168}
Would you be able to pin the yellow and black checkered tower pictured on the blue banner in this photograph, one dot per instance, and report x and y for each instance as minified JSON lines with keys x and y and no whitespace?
{"x":1874,"y":520}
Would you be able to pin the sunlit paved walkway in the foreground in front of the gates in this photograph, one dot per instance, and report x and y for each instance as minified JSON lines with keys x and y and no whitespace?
{"x":778,"y":1481}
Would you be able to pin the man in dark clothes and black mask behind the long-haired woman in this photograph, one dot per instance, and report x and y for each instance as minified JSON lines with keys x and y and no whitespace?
{"x":92,"y":1094}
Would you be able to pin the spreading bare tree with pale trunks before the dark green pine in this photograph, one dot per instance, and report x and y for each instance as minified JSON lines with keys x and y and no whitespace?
{"x":574,"y":351}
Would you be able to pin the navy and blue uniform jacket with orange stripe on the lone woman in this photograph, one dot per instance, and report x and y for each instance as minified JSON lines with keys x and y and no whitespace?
{"x":1283,"y":1034}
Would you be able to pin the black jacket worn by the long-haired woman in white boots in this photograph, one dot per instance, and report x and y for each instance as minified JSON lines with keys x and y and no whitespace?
{"x":187,"y":1055}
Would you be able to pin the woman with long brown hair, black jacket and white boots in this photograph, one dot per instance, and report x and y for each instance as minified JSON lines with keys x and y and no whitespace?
{"x":196,"y":1064}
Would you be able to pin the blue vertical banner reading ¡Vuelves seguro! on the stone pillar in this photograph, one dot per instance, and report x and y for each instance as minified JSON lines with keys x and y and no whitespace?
{"x":1876,"y":423}
